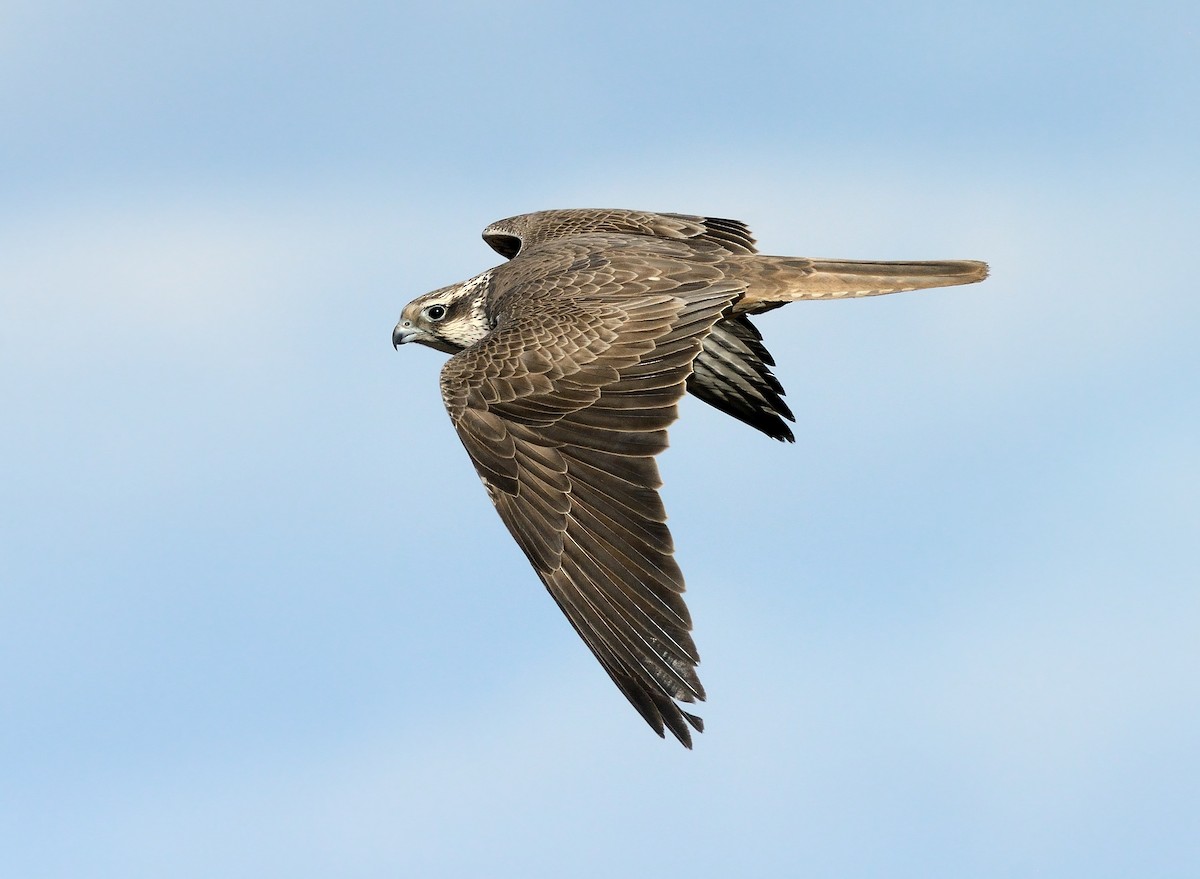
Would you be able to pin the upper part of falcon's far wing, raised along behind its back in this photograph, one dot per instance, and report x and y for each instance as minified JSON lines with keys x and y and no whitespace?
{"x":511,"y":237}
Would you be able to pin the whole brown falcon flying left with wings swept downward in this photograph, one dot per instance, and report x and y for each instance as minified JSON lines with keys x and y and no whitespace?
{"x":569,"y":363}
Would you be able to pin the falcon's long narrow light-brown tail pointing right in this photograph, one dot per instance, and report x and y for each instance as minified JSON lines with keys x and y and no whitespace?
{"x":772,"y":282}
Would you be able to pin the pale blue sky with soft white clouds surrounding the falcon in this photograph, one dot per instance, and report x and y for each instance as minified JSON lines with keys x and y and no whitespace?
{"x":257,"y":618}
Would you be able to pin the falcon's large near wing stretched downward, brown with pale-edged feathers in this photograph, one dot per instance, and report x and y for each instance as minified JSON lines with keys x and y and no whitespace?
{"x":562,"y":410}
